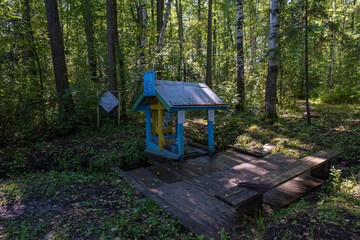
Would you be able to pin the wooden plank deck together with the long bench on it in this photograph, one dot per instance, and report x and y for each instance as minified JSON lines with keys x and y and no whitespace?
{"x":202,"y":192}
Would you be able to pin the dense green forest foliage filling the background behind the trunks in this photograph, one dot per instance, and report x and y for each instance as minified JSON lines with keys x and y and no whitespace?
{"x":29,"y":94}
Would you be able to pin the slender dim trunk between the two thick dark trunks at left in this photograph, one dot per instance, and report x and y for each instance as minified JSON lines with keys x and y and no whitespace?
{"x":90,"y":40}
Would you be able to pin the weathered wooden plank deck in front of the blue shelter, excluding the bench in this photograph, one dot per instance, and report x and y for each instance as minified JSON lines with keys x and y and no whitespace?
{"x":187,"y":189}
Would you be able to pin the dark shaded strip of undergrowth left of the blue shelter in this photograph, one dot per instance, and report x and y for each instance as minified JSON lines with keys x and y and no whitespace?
{"x":87,"y":151}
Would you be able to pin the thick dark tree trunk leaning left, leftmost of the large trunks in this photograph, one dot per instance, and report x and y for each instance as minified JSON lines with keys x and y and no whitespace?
{"x":57,"y":46}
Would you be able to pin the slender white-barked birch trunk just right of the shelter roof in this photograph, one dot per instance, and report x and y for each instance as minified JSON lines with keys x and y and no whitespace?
{"x":240,"y":56}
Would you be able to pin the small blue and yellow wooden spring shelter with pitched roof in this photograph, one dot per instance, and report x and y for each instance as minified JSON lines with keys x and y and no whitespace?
{"x":165,"y":103}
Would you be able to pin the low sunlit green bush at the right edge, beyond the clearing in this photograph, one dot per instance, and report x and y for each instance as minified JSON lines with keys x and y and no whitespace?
{"x":340,"y":95}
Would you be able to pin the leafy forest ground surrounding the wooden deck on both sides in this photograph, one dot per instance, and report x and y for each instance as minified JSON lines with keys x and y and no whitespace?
{"x":63,"y":189}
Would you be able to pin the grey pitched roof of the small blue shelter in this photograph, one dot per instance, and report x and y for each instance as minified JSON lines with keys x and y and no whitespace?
{"x":182,"y":96}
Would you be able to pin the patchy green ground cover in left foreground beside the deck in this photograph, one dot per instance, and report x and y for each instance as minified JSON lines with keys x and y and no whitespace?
{"x":67,"y":205}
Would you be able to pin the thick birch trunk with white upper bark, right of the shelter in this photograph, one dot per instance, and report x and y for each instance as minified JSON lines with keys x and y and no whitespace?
{"x":270,"y":94}
